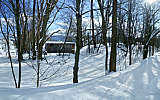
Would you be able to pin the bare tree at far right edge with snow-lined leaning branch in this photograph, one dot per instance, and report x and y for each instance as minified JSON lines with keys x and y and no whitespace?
{"x":149,"y":29}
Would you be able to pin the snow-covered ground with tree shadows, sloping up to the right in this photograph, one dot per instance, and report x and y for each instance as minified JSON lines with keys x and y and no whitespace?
{"x":140,"y":81}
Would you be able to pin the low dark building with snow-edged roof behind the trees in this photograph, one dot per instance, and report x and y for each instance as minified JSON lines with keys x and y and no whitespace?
{"x":59,"y":43}
